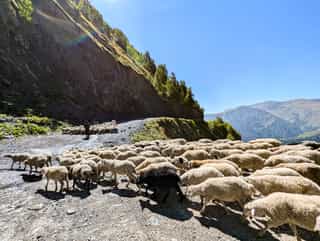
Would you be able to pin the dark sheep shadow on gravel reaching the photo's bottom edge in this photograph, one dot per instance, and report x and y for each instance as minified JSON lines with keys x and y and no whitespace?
{"x":231,"y":224}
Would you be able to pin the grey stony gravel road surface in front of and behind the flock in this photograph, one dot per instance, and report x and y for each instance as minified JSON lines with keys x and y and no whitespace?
{"x":28,"y":213}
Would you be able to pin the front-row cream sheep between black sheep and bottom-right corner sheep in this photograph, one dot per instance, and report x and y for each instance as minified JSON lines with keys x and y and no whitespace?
{"x":223,"y":189}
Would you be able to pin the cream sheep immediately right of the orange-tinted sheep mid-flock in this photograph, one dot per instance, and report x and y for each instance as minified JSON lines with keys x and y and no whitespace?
{"x":247,"y":161}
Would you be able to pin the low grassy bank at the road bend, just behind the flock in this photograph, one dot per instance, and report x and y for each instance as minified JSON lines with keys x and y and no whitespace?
{"x":168,"y":128}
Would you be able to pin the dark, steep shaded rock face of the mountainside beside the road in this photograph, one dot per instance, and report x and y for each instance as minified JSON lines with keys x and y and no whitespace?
{"x":58,"y":66}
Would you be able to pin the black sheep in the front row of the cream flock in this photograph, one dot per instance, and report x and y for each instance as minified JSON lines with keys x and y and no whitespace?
{"x":161,"y":183}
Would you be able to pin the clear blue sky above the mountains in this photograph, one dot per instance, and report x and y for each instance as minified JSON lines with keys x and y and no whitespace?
{"x":231,"y":52}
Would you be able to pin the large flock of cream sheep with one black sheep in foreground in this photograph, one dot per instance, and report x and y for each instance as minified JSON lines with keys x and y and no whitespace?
{"x":274,"y":184}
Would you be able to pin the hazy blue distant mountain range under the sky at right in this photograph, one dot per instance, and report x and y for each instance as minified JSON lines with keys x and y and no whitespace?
{"x":292,"y":120}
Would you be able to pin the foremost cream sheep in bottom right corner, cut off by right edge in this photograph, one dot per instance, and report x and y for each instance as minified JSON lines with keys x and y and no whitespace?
{"x":284,"y":208}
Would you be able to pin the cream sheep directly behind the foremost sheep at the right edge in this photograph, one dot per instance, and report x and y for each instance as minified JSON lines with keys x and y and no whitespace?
{"x":290,"y":184}
